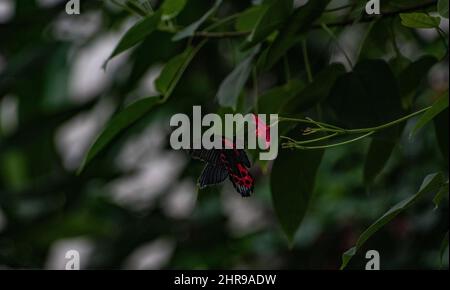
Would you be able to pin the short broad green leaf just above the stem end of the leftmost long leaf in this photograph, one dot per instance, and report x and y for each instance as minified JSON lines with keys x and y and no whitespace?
{"x":174,"y":69}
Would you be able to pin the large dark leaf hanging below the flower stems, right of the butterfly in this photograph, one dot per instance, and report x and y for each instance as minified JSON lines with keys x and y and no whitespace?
{"x":292,"y":184}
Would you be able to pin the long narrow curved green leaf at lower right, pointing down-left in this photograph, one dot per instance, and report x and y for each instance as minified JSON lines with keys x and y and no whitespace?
{"x":432,"y":183}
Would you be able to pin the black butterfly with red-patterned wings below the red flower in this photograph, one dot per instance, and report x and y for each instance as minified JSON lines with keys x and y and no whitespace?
{"x":225,"y":163}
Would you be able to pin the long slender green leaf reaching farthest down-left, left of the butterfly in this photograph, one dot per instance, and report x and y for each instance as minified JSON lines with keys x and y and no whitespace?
{"x":118,"y":124}
